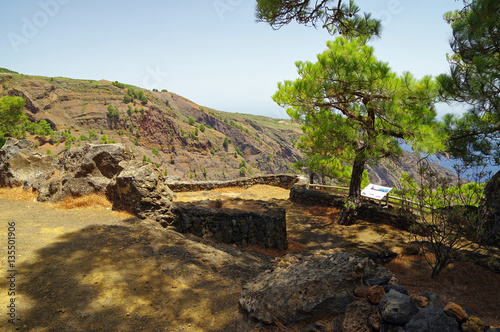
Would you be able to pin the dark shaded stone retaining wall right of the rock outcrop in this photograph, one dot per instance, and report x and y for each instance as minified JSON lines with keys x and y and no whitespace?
{"x":264,"y":226}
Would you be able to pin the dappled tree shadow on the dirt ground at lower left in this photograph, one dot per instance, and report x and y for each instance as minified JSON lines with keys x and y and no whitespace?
{"x":132,"y":277}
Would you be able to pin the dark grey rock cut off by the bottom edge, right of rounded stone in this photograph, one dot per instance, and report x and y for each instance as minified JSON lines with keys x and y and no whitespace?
{"x":431,"y":319}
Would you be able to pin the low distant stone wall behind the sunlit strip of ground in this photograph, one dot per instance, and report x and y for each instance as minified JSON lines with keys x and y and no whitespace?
{"x":285,"y":181}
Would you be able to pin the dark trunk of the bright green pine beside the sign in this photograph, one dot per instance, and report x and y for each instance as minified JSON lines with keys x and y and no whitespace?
{"x":348,"y":214}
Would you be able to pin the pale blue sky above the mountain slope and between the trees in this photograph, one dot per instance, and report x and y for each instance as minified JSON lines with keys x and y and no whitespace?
{"x":210,"y":51}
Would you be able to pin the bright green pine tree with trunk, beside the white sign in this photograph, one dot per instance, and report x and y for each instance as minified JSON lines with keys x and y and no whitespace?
{"x":354,"y":109}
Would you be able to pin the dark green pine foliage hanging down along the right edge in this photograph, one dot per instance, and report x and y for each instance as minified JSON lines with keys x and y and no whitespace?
{"x":473,"y":80}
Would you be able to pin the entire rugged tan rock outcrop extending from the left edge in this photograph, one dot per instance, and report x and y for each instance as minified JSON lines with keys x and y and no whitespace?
{"x":105,"y":168}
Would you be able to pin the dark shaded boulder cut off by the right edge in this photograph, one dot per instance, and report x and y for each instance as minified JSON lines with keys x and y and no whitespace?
{"x":489,"y":210}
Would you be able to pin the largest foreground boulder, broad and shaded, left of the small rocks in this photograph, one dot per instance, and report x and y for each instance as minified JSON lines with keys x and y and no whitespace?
{"x":316,"y":286}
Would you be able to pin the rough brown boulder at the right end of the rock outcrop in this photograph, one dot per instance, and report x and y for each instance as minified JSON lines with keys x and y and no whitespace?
{"x":140,"y":188}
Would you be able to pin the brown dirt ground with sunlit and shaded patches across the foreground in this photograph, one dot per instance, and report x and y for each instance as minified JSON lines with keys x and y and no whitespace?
{"x":93,"y":269}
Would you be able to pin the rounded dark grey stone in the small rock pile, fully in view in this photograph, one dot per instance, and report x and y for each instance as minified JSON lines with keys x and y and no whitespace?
{"x":397,"y":308}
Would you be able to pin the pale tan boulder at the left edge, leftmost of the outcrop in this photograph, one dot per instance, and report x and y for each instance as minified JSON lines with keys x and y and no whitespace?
{"x":21,"y":162}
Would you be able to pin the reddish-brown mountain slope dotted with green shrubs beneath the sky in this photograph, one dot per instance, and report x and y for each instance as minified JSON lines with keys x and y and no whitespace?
{"x":182,"y":138}
